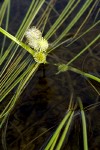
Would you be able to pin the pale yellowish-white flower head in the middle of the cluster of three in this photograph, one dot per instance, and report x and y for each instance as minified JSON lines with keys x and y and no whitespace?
{"x":43,"y":44}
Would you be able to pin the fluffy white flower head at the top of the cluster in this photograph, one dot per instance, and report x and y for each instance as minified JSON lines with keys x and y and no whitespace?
{"x":33,"y":33}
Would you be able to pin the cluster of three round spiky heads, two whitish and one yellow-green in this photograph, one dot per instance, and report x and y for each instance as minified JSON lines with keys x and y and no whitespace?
{"x":38,"y":43}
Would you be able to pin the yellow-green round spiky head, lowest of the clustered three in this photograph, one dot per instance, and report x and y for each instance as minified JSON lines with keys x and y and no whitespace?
{"x":40,"y":57}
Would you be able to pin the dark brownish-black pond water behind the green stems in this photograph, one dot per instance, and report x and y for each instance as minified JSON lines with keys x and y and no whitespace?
{"x":45,"y":101}
